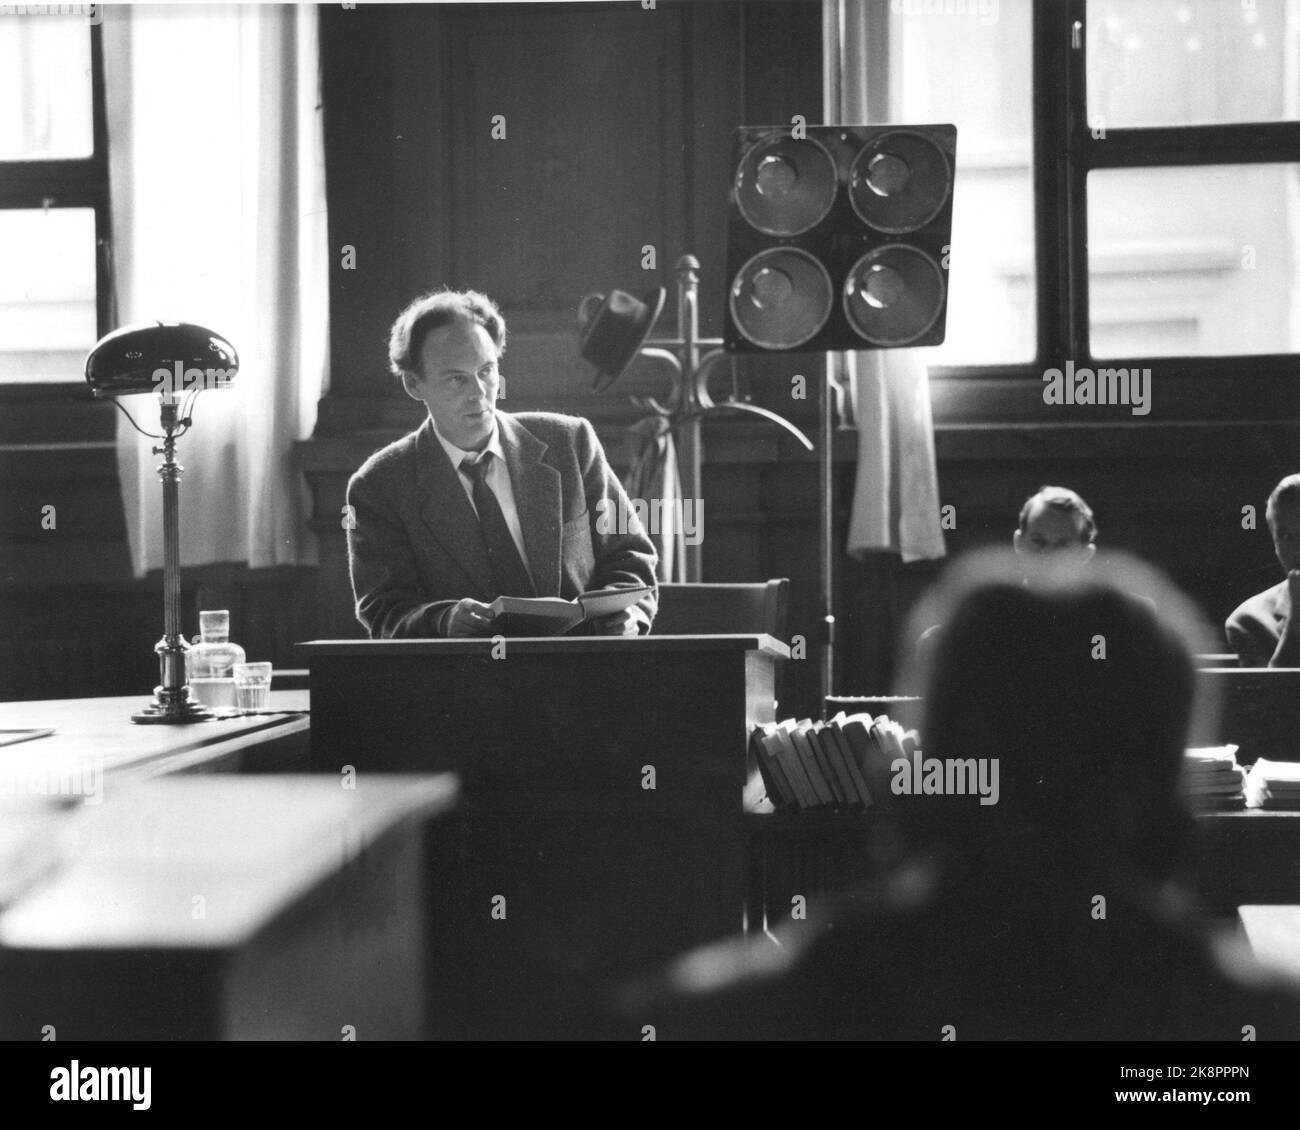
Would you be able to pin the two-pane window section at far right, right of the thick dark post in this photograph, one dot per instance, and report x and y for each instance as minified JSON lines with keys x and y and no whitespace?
{"x":1193,"y":215}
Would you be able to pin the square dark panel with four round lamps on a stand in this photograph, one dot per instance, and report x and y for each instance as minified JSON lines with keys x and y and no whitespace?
{"x":839,"y":239}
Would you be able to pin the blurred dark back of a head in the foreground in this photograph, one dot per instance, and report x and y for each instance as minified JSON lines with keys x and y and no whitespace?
{"x":1081,"y":695}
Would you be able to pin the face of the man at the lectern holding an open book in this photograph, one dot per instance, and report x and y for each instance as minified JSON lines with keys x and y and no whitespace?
{"x":460,"y":383}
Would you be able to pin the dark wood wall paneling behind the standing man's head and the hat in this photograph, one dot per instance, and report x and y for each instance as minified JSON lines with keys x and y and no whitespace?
{"x":597,"y":106}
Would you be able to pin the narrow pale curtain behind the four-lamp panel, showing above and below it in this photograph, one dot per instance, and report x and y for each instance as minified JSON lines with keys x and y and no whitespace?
{"x":896,"y":503}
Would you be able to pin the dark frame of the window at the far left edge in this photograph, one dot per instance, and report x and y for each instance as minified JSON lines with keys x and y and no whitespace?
{"x":71,"y":183}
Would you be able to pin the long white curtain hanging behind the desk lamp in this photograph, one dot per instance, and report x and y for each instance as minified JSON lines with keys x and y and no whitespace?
{"x":219,"y":219}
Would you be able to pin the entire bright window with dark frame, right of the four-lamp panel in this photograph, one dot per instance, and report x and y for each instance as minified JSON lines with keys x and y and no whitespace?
{"x":1128,"y":180}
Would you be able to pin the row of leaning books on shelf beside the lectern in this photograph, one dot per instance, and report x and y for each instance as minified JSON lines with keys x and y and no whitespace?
{"x":843,"y":764}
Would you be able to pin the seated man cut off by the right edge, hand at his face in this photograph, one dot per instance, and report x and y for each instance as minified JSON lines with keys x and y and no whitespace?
{"x":1263,"y":631}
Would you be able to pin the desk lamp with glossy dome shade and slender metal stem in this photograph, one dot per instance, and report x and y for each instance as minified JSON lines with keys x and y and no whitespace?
{"x":176,"y":362}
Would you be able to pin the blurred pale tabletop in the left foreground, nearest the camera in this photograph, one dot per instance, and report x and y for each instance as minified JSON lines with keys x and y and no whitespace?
{"x":242,"y":850}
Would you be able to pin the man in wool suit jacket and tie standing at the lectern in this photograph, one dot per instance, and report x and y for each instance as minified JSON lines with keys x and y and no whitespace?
{"x":479,"y":504}
